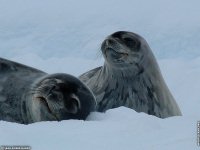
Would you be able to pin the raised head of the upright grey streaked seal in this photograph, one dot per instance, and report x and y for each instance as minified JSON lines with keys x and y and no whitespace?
{"x":122,"y":49}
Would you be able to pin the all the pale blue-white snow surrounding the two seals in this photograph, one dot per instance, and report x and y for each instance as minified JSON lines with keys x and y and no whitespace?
{"x":65,"y":36}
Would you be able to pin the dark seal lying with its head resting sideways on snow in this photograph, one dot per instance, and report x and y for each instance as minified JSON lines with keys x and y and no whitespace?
{"x":28,"y":95}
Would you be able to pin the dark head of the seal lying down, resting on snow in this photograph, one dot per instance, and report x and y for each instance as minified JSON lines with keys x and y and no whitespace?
{"x":60,"y":97}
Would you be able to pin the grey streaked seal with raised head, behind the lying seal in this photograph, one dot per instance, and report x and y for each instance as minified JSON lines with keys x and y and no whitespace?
{"x":130,"y":77}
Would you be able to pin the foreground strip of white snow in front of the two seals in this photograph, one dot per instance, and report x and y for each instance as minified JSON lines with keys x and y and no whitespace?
{"x":120,"y":128}
